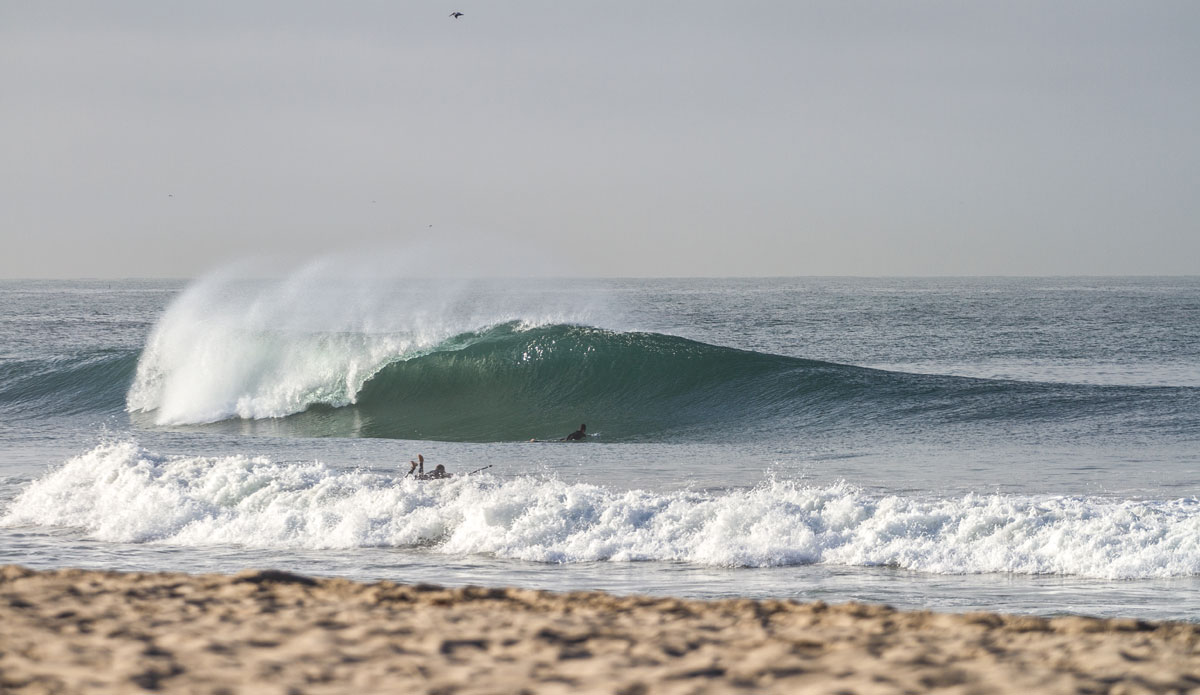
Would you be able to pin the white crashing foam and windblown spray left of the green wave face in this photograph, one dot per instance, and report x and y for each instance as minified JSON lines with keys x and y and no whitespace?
{"x":232,"y":347}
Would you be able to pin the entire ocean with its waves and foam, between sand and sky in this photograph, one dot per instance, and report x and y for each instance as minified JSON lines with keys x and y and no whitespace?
{"x":1024,"y":446}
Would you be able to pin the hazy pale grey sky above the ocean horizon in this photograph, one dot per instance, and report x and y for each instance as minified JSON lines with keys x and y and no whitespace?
{"x":617,"y":139}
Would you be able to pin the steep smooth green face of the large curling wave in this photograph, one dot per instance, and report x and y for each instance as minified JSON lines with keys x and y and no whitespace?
{"x":512,"y":385}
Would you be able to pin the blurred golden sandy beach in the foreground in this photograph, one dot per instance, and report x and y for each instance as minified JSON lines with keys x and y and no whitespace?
{"x":271,"y":632}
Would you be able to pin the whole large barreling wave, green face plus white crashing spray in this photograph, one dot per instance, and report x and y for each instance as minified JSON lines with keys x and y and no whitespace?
{"x":326,"y":354}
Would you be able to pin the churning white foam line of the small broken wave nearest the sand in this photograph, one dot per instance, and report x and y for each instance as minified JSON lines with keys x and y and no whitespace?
{"x":119,"y":493}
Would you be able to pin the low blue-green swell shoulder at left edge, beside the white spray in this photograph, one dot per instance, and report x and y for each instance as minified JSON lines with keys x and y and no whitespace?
{"x":92,"y":382}
